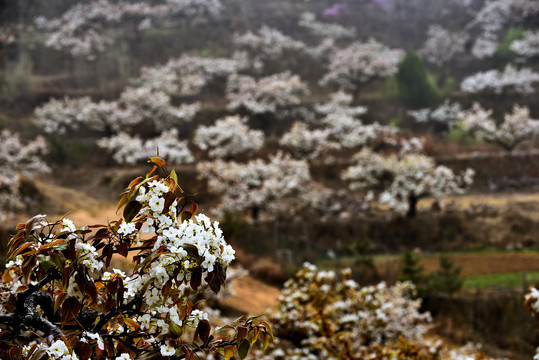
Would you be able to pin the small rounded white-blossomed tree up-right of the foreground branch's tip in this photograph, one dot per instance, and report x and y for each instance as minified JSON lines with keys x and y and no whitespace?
{"x":229,"y":136}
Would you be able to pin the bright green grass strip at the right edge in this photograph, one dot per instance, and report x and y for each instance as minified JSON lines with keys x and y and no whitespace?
{"x":504,"y":280}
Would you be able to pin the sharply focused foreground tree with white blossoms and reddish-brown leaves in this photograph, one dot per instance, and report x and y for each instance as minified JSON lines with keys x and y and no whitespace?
{"x":62,"y":300}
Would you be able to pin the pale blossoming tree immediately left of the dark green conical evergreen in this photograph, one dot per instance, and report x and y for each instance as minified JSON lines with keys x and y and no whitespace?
{"x":361,"y":62}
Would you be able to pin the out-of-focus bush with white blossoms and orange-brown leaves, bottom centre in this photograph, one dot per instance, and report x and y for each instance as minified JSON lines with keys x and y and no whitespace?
{"x":332,"y":317}
